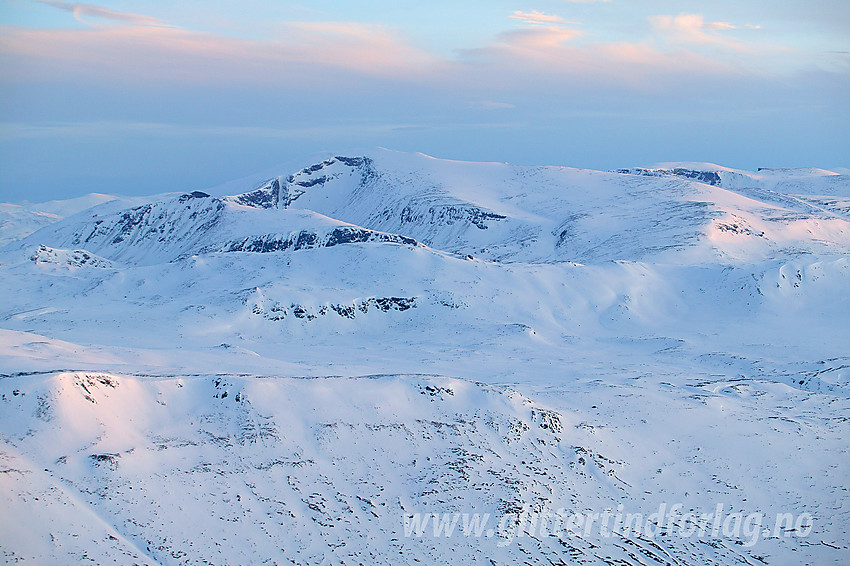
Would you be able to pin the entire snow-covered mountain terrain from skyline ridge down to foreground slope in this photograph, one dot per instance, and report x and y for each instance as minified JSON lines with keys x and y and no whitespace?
{"x":667,"y":334}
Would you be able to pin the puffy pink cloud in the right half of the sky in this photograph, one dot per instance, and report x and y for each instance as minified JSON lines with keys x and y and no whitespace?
{"x":672,"y":49}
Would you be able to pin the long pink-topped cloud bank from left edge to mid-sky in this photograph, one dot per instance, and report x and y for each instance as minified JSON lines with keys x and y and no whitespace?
{"x":302,"y":56}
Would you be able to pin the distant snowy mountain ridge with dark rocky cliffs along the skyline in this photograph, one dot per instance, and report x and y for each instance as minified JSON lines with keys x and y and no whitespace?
{"x":493,"y":211}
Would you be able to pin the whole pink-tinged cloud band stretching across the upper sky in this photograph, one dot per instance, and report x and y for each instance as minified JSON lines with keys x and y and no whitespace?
{"x":314,"y":55}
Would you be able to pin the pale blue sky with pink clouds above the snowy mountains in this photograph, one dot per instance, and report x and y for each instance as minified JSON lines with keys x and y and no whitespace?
{"x":145,"y":96}
